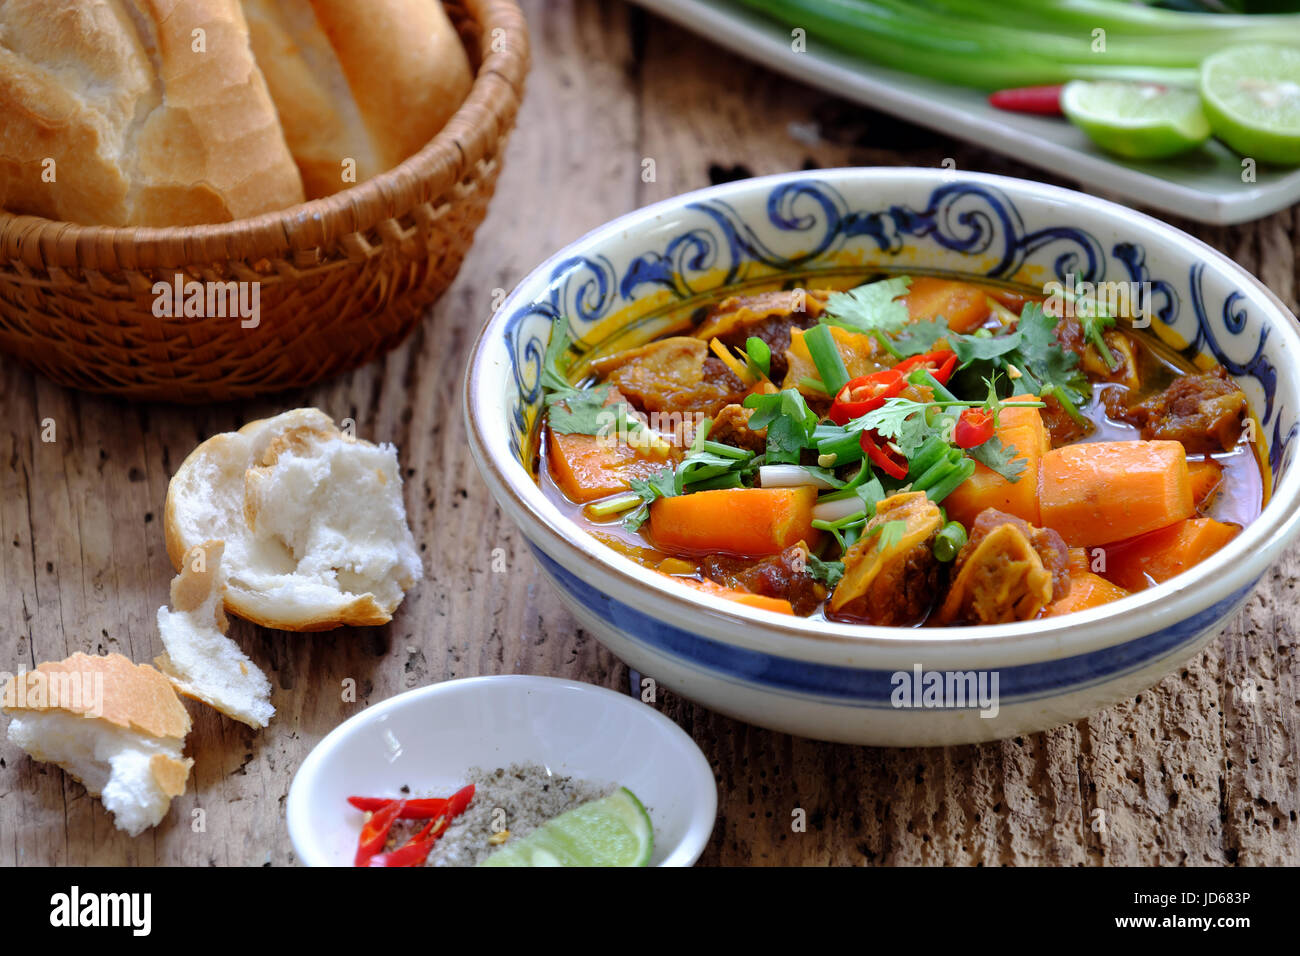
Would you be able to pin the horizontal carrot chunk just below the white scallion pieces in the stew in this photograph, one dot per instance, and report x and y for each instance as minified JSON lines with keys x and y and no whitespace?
{"x":735,"y":521}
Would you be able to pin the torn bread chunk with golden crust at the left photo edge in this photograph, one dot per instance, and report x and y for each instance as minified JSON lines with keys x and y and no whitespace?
{"x":116,"y":726}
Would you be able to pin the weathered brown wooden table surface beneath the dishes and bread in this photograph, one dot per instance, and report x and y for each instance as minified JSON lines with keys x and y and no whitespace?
{"x":1201,"y":769}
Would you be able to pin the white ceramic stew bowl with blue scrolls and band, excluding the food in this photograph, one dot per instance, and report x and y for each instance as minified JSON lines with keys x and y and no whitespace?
{"x":643,"y":272}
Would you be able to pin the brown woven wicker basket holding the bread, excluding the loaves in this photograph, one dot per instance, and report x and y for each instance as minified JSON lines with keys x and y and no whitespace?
{"x":340,"y":280}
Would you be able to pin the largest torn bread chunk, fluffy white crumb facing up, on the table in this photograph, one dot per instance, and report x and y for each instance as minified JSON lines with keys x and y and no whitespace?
{"x":313,"y":521}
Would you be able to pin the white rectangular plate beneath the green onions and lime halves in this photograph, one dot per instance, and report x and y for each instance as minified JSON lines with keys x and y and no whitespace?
{"x":1206,"y":185}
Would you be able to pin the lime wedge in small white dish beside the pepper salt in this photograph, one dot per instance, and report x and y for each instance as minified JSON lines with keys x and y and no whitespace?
{"x":613,"y":832}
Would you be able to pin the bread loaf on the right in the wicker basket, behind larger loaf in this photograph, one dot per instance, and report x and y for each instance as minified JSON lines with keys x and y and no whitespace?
{"x":371,"y":83}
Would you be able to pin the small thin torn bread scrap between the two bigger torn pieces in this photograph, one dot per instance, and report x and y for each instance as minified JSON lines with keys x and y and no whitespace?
{"x":201,"y":661}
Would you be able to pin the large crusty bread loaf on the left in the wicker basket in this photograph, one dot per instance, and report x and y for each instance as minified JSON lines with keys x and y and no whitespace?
{"x":146,"y":122}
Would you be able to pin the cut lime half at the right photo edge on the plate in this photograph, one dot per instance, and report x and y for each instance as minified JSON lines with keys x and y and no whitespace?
{"x":1253,"y":98}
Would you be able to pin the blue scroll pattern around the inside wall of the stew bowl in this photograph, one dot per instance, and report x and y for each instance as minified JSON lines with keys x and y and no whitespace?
{"x":722,"y":249}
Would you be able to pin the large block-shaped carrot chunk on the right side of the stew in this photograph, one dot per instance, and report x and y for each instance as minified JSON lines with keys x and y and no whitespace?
{"x":1095,"y":494}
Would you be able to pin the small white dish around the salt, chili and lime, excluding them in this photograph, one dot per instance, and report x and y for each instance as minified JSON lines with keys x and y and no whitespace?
{"x":430,"y":738}
